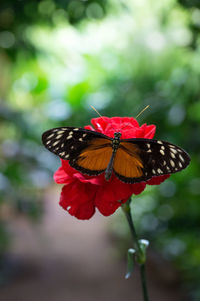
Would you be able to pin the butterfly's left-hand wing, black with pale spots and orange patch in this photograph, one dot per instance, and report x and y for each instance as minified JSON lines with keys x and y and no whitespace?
{"x":87,"y":151}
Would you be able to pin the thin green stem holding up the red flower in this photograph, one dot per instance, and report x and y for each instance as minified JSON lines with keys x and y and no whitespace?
{"x":140,"y":256}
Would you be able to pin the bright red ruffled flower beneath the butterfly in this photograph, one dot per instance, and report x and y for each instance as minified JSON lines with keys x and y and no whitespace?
{"x":81,"y":194}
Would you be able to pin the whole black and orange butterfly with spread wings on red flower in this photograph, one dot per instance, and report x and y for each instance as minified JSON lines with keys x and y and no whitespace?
{"x":132,"y":160}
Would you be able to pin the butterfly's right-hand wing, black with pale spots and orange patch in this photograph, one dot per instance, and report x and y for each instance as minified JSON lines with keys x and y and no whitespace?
{"x":138,"y":160}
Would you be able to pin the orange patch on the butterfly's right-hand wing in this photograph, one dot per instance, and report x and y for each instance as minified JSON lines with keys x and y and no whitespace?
{"x":127,"y":161}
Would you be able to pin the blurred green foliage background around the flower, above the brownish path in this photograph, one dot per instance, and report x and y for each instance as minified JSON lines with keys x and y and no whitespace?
{"x":58,"y":57}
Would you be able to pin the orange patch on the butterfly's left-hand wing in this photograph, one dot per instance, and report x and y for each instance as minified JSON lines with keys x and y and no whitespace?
{"x":96,"y":156}
